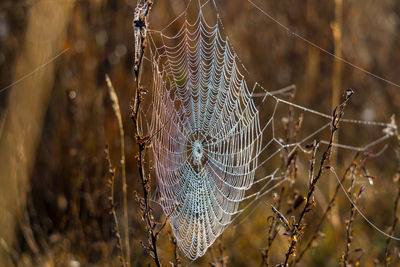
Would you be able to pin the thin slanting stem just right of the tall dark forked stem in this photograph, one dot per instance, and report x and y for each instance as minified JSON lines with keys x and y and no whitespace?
{"x":351,"y":169}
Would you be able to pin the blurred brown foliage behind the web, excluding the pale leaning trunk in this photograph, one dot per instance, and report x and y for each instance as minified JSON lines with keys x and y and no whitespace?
{"x":66,"y":218}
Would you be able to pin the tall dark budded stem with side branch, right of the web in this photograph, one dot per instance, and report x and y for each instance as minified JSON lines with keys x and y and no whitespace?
{"x":297,"y":228}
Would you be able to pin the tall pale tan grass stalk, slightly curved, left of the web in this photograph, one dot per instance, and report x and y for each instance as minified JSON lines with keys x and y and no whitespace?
{"x":117,"y":111}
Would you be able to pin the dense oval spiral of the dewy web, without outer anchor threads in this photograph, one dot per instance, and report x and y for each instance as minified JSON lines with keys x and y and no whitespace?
{"x":205,"y":156}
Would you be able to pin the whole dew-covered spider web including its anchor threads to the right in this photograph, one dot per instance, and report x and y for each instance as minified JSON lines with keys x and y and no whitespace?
{"x":214,"y":152}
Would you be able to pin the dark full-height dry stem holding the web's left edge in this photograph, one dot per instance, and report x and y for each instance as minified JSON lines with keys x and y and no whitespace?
{"x":140,"y":24}
